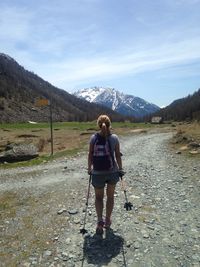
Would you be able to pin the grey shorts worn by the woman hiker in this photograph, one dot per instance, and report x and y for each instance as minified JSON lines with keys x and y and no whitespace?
{"x":100,"y":180}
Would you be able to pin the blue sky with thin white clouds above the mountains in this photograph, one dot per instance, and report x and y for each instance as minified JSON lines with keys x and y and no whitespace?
{"x":150,"y":49}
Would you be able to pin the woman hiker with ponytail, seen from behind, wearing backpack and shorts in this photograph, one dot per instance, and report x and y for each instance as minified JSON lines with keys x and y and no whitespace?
{"x":104,"y":166}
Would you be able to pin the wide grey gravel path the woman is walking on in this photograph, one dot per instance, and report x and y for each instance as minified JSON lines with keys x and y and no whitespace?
{"x":42,"y":211}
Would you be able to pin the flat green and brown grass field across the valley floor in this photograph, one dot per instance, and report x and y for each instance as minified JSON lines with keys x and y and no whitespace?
{"x":71,"y":137}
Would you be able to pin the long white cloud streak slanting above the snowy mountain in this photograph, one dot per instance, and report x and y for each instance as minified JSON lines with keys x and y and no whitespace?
{"x":122,"y":64}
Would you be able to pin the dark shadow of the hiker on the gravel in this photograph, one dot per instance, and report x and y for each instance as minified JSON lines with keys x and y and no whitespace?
{"x":100,"y":250}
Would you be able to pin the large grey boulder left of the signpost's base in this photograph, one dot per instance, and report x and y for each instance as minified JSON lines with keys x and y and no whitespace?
{"x":20,"y":152}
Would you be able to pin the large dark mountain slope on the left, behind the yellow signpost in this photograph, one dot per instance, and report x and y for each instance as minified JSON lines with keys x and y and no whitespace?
{"x":20,"y":88}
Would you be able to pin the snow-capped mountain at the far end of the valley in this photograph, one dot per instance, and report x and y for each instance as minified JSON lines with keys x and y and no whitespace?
{"x":124,"y":104}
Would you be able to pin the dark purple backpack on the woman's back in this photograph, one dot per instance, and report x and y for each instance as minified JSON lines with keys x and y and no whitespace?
{"x":102,"y":156}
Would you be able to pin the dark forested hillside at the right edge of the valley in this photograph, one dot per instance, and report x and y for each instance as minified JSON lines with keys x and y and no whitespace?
{"x":183,"y":109}
